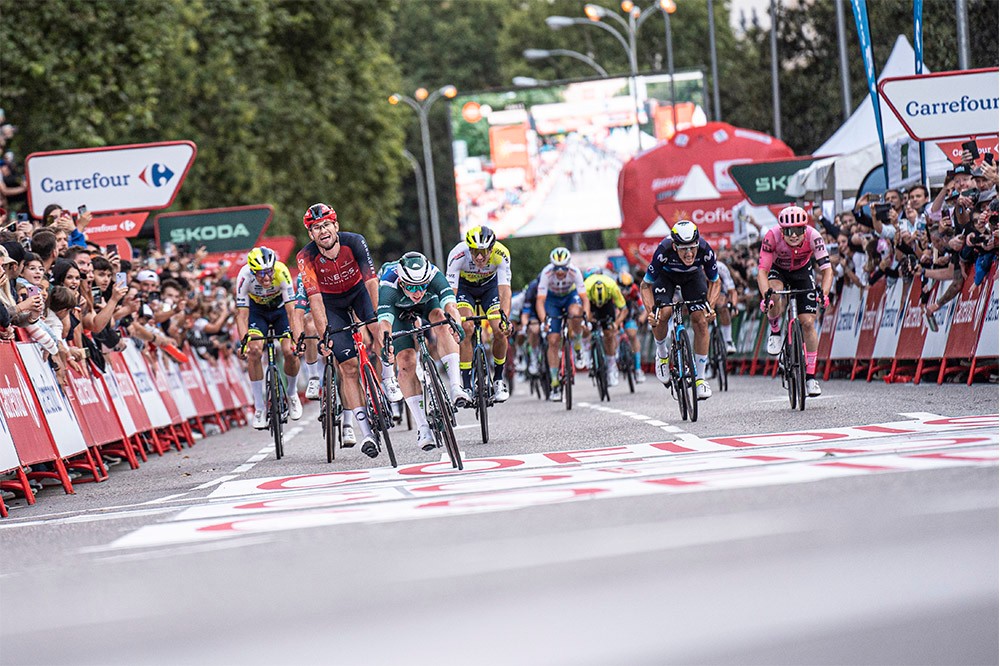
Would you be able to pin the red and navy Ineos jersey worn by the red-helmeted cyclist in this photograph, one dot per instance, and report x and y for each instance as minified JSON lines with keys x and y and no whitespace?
{"x":336,"y":277}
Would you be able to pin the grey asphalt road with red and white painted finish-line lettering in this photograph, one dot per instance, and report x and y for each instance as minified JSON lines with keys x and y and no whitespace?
{"x":613,"y":533}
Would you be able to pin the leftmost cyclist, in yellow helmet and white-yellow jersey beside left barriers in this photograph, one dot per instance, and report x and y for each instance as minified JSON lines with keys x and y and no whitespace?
{"x":265,"y":296}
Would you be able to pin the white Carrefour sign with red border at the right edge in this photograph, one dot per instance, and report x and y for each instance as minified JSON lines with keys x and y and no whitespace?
{"x":945,"y":105}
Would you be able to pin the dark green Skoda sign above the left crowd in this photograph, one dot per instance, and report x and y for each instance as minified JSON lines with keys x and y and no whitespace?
{"x":217,"y":230}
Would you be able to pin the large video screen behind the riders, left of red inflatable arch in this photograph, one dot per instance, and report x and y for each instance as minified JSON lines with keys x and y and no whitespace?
{"x":545,"y":159}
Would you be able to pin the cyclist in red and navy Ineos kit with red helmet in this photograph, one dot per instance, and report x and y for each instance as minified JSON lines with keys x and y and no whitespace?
{"x":339,"y":279}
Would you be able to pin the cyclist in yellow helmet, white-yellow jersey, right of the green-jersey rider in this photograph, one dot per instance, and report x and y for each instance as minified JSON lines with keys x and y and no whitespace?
{"x":479,"y":273}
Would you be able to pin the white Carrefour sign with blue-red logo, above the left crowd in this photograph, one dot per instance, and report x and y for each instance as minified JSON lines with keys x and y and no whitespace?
{"x":109,"y":180}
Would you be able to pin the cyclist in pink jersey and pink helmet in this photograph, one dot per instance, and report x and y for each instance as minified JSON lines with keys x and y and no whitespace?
{"x":786,"y":255}
